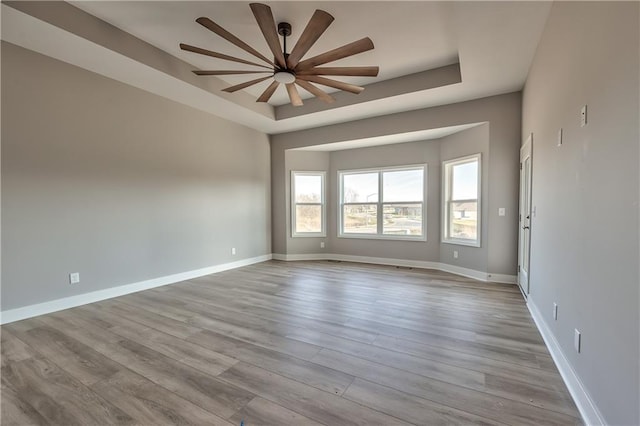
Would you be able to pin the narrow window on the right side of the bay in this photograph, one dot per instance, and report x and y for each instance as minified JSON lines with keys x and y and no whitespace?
{"x":461,"y":201}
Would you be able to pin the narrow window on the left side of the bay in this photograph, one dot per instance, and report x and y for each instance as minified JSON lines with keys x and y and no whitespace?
{"x":308,"y":205}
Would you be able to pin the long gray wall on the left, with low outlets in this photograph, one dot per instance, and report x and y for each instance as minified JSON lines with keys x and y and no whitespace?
{"x":118,"y":184}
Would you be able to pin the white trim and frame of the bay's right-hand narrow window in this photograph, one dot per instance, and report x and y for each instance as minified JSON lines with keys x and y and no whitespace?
{"x":447,"y":167}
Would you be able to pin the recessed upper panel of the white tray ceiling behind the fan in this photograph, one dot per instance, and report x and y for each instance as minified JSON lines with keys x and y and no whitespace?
{"x":408,"y":36}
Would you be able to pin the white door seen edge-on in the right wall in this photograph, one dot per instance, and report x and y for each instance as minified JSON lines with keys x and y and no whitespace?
{"x":524,"y":243}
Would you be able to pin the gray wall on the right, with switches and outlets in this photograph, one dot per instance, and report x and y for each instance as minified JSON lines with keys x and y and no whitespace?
{"x":584,"y":248}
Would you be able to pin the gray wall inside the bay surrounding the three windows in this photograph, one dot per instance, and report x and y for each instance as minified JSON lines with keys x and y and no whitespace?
{"x":431,"y":153}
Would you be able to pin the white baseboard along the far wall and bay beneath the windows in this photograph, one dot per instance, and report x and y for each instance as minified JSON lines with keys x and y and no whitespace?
{"x":466,"y":272}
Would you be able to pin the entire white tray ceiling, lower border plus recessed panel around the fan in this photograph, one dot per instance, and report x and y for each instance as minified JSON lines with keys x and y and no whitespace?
{"x":494,"y":43}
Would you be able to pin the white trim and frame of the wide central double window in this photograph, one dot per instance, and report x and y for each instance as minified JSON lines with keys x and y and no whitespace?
{"x":380,"y":203}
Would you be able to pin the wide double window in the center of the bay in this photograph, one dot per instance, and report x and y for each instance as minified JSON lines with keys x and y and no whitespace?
{"x":382,"y":203}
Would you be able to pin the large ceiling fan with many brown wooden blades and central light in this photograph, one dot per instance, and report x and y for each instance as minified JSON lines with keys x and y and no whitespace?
{"x":289,"y":68}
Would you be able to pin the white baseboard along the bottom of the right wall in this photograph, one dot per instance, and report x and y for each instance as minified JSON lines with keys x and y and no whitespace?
{"x":588,"y":409}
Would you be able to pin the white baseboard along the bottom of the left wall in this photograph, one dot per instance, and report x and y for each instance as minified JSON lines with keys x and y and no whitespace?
{"x":25,"y":312}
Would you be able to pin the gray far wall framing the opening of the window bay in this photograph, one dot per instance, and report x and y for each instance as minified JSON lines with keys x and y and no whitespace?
{"x":503,"y":113}
